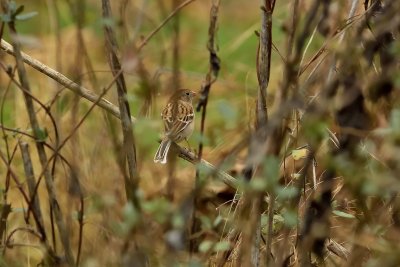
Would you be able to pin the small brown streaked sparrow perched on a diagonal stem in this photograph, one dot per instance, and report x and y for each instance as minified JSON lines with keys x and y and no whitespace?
{"x":178,"y":117}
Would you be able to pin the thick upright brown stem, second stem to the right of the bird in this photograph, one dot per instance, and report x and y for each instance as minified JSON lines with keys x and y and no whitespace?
{"x":252,"y":230}
